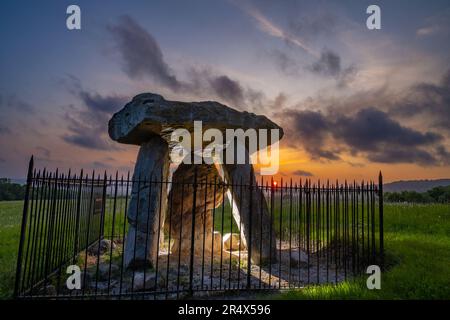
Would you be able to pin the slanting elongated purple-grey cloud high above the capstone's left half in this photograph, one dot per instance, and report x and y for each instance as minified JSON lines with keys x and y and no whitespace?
{"x":141,"y":53}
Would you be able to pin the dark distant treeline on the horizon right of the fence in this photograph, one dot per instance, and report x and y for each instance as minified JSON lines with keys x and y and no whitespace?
{"x":437,"y":194}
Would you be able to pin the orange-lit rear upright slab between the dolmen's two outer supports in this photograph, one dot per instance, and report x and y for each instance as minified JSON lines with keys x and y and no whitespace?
{"x":181,"y":207}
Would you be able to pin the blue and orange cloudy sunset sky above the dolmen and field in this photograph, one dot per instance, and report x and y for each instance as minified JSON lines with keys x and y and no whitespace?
{"x":312,"y":66}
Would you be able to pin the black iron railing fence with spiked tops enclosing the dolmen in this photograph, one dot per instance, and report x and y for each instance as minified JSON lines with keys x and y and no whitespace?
{"x":324,"y":233}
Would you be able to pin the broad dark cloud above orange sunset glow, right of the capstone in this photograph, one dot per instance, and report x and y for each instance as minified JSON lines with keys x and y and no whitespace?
{"x":369,"y":132}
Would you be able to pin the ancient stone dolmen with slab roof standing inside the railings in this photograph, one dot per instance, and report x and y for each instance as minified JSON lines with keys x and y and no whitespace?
{"x":148,"y":121}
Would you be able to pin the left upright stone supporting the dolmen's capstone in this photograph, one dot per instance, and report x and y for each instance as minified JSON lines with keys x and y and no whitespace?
{"x":148,"y":203}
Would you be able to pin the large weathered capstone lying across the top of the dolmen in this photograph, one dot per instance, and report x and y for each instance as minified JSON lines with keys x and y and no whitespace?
{"x":150,"y":114}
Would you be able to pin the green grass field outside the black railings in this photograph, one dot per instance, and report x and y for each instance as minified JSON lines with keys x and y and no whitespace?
{"x":417,"y":240}
